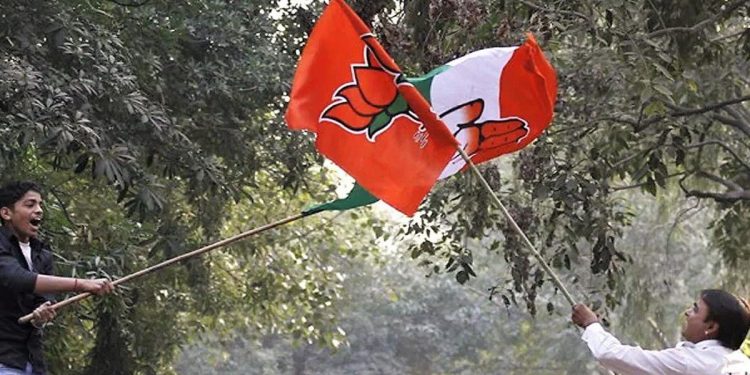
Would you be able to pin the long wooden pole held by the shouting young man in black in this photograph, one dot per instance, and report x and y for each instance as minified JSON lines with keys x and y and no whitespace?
{"x":168,"y":262}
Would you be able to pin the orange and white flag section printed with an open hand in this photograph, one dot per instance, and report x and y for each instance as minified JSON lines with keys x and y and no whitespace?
{"x":494,"y":101}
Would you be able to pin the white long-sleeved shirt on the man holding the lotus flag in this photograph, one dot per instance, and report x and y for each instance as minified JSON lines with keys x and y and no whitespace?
{"x":707,"y":357}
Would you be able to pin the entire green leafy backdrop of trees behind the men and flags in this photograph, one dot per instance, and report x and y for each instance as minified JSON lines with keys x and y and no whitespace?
{"x":156,"y":128}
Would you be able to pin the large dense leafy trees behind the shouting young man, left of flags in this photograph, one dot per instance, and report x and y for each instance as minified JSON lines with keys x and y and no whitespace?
{"x":156,"y":128}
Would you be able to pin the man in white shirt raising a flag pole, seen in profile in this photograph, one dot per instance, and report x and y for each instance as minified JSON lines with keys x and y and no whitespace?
{"x":715,"y":328}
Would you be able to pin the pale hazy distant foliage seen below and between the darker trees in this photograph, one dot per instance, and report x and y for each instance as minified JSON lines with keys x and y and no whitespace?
{"x":399,"y":321}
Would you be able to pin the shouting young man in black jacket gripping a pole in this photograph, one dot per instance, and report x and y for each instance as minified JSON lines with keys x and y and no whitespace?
{"x":26,"y":281}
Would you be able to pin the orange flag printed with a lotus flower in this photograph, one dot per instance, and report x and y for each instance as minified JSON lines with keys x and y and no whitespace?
{"x":368,"y":118}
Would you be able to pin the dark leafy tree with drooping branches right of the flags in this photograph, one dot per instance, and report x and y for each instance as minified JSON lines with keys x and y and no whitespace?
{"x":652,"y":96}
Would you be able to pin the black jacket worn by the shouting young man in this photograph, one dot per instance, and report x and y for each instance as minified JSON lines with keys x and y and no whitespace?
{"x":21,"y":343}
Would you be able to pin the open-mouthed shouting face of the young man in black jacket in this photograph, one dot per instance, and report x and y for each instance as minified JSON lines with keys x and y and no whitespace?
{"x":25,"y":216}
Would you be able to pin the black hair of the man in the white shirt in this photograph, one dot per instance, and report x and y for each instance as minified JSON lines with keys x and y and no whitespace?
{"x":731,"y":313}
